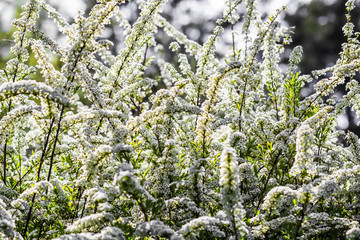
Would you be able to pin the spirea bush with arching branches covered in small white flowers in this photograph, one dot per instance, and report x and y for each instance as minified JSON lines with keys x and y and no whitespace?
{"x":204,"y":148}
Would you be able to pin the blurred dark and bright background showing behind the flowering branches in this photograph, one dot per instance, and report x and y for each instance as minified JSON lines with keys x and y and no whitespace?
{"x":318,"y":28}
